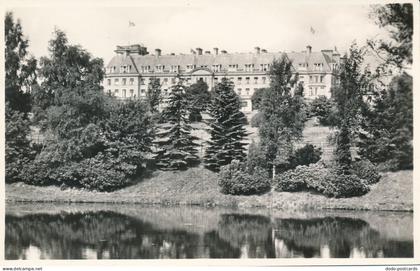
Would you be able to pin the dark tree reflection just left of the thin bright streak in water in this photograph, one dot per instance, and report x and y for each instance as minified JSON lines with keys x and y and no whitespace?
{"x":249,"y":233}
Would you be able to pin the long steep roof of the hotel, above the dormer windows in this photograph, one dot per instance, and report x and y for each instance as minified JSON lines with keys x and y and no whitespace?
{"x":221,"y":59}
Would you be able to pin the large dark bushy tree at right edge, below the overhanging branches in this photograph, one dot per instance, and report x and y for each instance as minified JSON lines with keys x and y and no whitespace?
{"x":387,"y":127}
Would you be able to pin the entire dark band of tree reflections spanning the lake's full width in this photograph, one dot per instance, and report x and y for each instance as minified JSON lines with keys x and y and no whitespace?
{"x":116,"y":236}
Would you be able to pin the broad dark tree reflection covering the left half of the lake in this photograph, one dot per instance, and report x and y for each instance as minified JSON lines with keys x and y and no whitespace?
{"x":66,"y":236}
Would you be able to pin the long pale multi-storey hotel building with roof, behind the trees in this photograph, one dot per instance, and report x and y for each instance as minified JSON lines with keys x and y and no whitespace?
{"x":131,"y":69}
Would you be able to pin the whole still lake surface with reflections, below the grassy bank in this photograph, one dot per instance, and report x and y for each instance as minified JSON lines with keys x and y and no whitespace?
{"x":95,"y":231}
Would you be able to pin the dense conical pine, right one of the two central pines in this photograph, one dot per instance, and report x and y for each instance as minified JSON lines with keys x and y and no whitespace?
{"x":226,"y":128}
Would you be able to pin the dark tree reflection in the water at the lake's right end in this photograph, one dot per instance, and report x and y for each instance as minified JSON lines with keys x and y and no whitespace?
{"x":342,"y":237}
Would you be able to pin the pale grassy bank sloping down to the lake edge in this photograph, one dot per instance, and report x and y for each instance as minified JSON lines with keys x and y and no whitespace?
{"x":198,"y":186}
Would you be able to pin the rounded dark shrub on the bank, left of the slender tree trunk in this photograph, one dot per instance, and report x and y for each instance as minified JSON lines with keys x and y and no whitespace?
{"x":235,"y":179}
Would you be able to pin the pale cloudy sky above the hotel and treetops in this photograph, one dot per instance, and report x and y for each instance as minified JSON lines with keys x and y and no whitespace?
{"x":179,"y":25}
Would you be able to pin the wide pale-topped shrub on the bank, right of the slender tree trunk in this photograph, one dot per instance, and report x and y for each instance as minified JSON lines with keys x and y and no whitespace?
{"x":317,"y":177}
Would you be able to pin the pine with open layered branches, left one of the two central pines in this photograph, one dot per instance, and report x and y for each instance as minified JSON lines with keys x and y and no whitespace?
{"x":176,"y":149}
